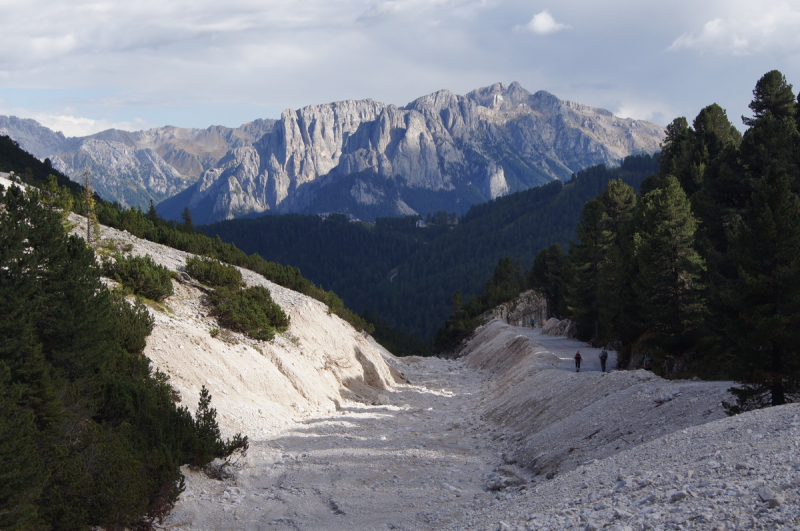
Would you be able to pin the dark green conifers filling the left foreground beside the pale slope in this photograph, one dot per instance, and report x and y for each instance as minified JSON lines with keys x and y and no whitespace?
{"x":89,"y":434}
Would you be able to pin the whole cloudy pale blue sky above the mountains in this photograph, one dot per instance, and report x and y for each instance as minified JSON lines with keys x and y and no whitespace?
{"x":84,"y":66}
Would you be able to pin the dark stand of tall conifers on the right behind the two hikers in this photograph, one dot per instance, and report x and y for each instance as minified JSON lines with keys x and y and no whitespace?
{"x":702,"y":271}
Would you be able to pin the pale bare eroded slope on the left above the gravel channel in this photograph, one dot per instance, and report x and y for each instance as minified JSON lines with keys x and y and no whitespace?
{"x":258,"y":387}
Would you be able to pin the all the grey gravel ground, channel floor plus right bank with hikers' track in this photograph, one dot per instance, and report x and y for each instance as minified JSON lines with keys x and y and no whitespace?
{"x":445,"y":453}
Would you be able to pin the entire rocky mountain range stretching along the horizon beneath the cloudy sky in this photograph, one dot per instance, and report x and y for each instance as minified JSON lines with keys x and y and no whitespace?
{"x":440,"y":152}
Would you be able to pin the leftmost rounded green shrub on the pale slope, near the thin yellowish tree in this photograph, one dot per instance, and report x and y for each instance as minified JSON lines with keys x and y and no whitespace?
{"x":141,"y":275}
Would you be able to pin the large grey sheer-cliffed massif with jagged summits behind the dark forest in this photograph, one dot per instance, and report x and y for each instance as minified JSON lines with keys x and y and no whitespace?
{"x":440,"y":152}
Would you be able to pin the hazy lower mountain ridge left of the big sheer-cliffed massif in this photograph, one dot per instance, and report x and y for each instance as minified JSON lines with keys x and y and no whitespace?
{"x":134,"y":167}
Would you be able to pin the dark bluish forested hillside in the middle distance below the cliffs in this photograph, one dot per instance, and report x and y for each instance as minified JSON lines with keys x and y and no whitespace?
{"x":407,"y":275}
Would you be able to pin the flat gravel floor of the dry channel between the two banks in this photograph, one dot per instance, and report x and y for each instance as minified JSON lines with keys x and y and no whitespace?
{"x":422,"y":461}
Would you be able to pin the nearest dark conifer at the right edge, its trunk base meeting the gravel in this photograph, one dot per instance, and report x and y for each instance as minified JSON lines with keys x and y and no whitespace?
{"x":766,"y":295}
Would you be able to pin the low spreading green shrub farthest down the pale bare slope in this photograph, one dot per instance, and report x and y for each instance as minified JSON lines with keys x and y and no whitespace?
{"x":250,"y":311}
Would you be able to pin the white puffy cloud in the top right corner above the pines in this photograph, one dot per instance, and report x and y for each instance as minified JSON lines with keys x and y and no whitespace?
{"x":747,"y":29}
